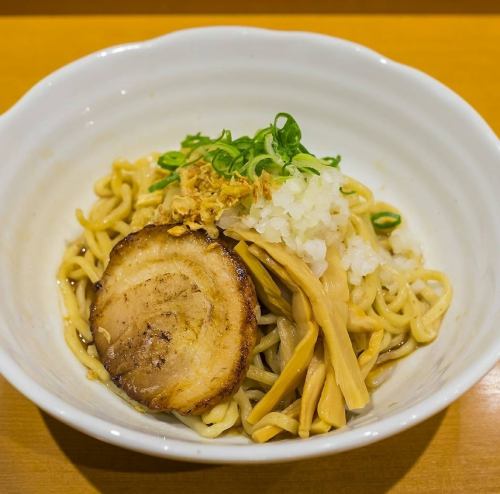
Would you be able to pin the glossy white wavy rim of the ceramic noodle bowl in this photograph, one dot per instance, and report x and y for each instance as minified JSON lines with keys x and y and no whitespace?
{"x":215,"y":452}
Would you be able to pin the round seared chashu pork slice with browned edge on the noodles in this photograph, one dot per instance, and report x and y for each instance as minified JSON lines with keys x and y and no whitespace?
{"x":174,"y":321}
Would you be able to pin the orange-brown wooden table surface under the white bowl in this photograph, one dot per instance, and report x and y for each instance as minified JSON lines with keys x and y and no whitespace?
{"x":458,"y":450}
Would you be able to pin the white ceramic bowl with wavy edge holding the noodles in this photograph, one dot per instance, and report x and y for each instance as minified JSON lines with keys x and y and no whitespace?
{"x":415,"y":142}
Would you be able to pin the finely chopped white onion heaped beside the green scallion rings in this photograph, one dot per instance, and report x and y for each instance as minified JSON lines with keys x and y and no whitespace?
{"x":308,"y":214}
